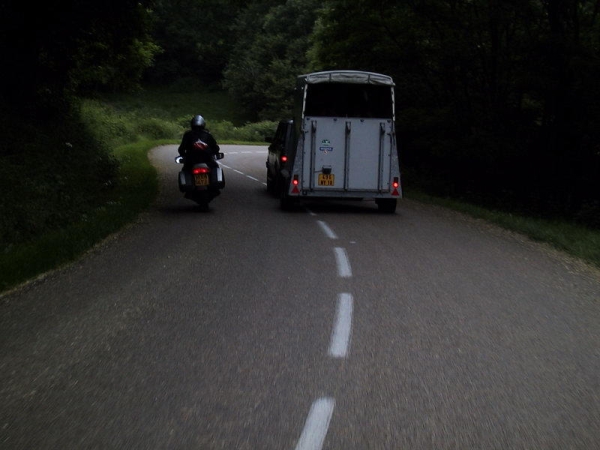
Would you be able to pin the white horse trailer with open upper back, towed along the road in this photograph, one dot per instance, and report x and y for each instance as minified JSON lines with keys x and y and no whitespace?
{"x":343,"y":143}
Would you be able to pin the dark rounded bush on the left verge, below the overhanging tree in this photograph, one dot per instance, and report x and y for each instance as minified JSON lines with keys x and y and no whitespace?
{"x":50,"y":179}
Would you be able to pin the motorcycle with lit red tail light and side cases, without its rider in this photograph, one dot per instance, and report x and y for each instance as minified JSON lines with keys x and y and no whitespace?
{"x":202,"y":183}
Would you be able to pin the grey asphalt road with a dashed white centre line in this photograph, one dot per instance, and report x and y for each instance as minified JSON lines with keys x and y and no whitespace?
{"x":330,"y":327}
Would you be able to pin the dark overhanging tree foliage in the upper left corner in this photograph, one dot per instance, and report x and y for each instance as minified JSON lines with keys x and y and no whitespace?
{"x":67,"y":48}
